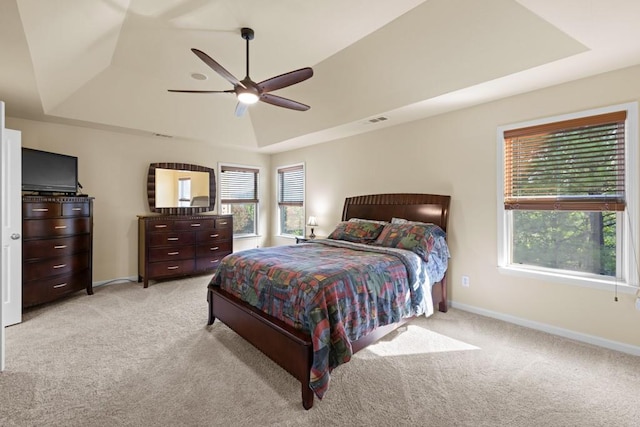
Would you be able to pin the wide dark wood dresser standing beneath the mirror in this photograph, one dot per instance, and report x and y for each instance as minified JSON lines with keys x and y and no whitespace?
{"x":173,"y":246}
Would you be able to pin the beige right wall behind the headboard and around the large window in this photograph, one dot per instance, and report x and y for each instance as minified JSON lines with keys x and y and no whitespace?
{"x":456,"y":154}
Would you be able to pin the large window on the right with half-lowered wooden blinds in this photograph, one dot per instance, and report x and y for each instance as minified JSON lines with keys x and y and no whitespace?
{"x":567,"y":197}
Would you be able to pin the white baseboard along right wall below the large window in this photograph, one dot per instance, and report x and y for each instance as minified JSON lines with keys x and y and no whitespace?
{"x":566,"y":333}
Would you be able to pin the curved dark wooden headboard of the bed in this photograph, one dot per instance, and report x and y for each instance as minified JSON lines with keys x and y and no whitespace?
{"x":432,"y":208}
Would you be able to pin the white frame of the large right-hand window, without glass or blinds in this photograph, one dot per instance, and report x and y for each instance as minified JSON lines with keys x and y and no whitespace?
{"x":627,"y":238}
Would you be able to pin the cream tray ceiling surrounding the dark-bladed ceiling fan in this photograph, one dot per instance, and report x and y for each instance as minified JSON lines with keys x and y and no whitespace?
{"x":108,"y":63}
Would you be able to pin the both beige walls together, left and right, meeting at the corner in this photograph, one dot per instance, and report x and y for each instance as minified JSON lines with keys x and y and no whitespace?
{"x":450,"y":154}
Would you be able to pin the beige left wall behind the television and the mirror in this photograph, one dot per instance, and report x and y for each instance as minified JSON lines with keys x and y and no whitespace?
{"x":113,"y":168}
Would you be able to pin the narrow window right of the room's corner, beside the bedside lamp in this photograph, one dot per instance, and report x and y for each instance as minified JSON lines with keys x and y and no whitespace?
{"x":291,"y":200}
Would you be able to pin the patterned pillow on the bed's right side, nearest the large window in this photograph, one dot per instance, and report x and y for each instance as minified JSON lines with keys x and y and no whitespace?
{"x":413,"y":236}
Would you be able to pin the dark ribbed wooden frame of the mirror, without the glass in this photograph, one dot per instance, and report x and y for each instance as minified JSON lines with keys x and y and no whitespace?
{"x":151,"y":189}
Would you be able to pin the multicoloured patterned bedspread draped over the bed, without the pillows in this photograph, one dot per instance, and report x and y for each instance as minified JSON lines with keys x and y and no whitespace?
{"x":337,"y":291}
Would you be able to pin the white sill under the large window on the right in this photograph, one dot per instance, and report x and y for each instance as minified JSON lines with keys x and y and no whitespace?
{"x":586,"y":282}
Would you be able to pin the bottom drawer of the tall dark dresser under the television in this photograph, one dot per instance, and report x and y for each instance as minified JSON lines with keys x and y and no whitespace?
{"x":45,"y":290}
